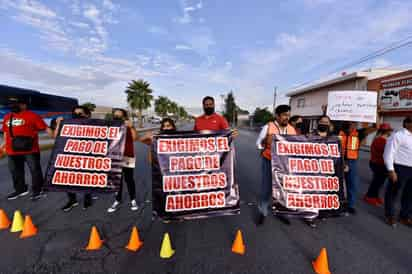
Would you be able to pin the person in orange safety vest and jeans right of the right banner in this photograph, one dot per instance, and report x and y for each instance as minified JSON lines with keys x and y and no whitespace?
{"x":351,"y":139}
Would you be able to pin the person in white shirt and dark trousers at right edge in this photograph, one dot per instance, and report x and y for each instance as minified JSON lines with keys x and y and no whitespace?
{"x":398,"y":160}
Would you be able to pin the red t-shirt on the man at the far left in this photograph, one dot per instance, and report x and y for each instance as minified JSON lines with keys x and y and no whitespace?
{"x":25,"y":123}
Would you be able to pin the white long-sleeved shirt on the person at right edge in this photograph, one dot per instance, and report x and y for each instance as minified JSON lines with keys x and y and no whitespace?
{"x":398,"y":149}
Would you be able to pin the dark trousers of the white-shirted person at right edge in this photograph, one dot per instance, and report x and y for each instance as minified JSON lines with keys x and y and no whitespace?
{"x":404,"y":179}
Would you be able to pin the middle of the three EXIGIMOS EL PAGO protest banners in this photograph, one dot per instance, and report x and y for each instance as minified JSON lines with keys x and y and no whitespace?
{"x":193,"y":175}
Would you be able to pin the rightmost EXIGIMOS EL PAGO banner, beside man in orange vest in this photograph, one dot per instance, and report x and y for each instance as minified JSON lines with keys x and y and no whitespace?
{"x":307,"y":176}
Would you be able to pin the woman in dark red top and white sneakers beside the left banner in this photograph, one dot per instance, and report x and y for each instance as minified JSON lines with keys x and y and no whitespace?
{"x":129,"y":162}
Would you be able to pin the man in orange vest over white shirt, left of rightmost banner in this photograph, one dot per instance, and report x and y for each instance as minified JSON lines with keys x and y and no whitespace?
{"x":264,"y":143}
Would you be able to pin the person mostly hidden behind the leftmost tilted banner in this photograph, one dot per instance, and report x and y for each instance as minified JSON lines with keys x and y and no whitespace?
{"x":78,"y":112}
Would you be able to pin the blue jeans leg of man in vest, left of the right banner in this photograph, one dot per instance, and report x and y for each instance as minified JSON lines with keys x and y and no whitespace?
{"x":265,"y":197}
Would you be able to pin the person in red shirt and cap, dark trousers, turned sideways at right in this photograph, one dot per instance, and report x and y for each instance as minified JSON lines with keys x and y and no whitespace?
{"x":377,"y":165}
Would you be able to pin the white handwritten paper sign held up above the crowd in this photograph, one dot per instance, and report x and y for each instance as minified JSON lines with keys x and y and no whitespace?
{"x":352,"y":105}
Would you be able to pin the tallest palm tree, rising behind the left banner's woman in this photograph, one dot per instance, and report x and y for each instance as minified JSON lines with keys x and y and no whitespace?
{"x":139,"y":96}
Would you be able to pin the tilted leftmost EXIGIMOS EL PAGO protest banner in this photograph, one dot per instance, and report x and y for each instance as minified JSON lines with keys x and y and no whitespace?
{"x":87,"y":156}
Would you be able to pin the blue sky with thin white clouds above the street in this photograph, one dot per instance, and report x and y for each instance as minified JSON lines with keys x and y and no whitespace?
{"x":187,"y":49}
